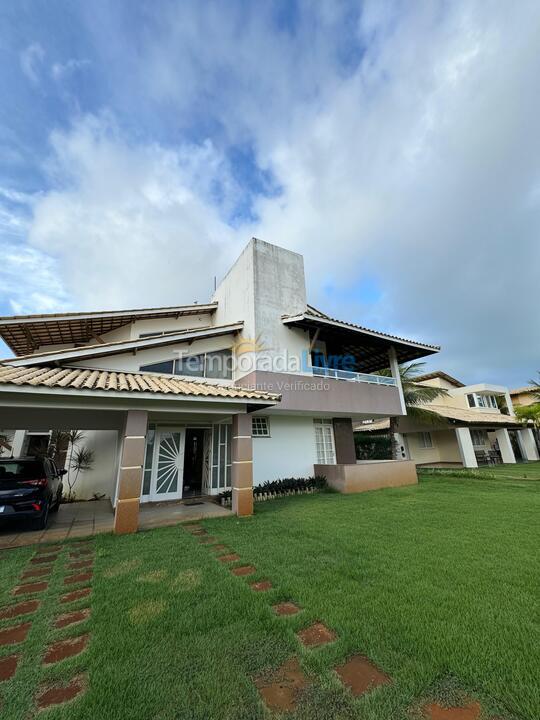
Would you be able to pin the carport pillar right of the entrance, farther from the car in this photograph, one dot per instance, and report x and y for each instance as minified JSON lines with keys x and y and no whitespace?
{"x":242,"y":465}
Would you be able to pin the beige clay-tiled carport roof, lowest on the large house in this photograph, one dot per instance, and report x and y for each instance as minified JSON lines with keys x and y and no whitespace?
{"x":107,"y":380}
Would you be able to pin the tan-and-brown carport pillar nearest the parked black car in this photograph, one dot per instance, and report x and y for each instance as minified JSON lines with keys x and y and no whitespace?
{"x":126,"y":516}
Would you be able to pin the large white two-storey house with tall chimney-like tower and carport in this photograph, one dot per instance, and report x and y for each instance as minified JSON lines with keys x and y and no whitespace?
{"x":196,"y":399}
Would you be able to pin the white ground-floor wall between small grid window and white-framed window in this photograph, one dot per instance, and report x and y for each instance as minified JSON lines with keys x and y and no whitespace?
{"x":289,"y":452}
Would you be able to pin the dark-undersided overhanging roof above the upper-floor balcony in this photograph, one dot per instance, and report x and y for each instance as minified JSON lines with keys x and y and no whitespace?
{"x":370,"y":346}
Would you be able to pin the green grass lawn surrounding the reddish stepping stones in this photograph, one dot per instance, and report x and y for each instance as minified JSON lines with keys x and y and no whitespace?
{"x":437,"y":584}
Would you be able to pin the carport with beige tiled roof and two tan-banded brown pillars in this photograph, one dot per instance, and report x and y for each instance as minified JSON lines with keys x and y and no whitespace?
{"x":83,"y":399}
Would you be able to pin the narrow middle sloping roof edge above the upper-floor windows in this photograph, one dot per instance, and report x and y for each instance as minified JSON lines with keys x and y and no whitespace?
{"x":122,"y":346}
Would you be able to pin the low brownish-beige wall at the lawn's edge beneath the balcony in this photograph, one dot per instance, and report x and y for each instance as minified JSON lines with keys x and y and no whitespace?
{"x":371,"y":475}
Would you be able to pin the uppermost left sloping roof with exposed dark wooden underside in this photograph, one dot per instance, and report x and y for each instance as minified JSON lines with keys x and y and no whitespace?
{"x":25,"y":333}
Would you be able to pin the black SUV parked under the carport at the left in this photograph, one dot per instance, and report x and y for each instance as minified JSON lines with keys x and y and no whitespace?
{"x":30,"y":488}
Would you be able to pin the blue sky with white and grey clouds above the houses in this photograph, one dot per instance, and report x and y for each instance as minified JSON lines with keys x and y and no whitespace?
{"x":395,"y":144}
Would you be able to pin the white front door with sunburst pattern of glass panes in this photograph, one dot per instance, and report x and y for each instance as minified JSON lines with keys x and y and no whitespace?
{"x":168,"y":464}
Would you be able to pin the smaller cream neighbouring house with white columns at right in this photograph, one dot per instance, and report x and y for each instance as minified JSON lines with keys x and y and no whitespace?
{"x":468,"y":426}
